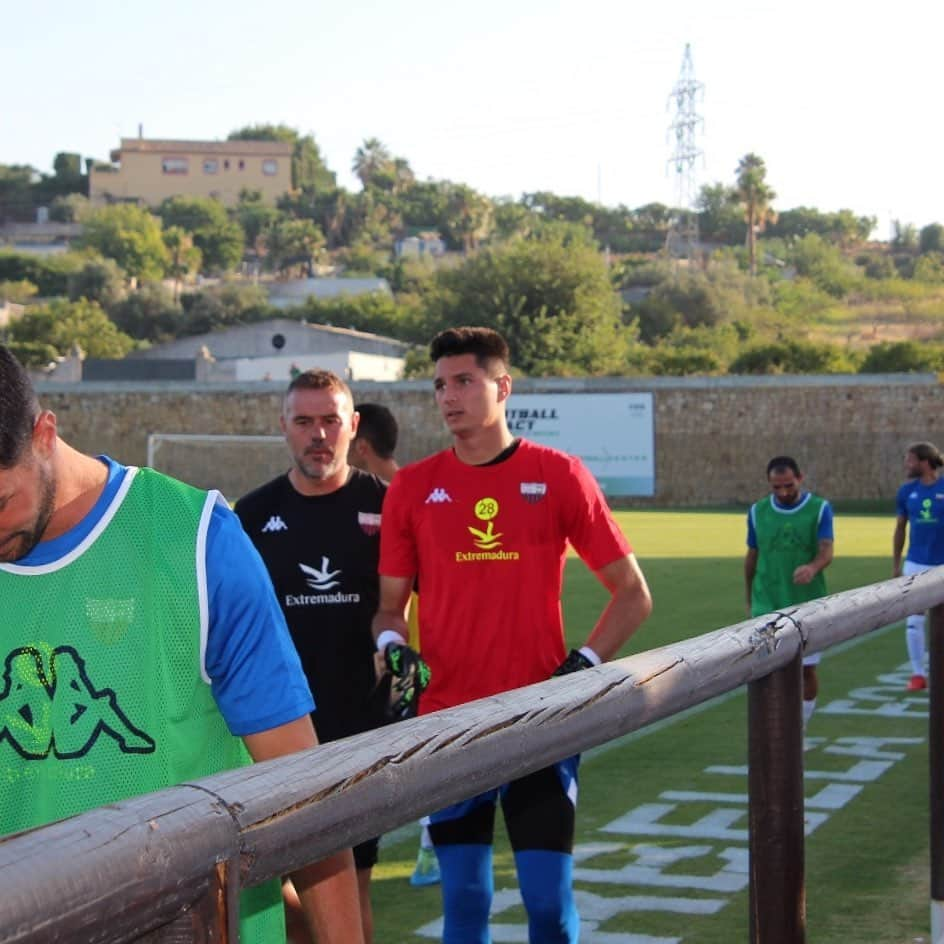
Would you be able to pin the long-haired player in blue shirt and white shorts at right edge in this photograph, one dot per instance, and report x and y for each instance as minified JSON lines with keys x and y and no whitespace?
{"x":919,"y":507}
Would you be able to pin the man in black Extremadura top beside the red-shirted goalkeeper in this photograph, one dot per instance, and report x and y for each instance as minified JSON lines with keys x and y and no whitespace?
{"x":317,"y":528}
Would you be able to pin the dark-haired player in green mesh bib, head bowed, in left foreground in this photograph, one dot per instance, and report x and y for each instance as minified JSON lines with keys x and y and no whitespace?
{"x":124,"y":580}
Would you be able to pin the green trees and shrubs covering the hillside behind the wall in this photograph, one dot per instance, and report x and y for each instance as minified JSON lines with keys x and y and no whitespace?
{"x":730,"y":286}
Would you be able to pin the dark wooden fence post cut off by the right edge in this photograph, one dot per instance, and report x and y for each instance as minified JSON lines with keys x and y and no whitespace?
{"x":936,"y":759}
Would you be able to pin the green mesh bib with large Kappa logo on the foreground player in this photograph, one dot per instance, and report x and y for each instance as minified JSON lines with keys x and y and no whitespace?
{"x":102,"y":694}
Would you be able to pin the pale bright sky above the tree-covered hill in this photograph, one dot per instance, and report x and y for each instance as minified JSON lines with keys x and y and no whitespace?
{"x":840,"y":99}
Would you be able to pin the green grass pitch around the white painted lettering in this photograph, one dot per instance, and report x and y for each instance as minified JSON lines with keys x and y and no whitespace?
{"x":866,"y":865}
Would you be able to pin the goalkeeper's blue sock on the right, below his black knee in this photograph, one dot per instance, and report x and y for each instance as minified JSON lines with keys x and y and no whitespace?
{"x":546,"y":882}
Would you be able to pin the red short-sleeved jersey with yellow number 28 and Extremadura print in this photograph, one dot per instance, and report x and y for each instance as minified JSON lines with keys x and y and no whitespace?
{"x":487,"y":544}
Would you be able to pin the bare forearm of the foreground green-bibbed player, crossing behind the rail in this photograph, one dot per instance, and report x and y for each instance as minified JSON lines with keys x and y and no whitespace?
{"x":327,"y":889}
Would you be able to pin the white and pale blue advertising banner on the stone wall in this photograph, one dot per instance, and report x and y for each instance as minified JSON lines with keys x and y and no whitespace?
{"x":611,"y":432}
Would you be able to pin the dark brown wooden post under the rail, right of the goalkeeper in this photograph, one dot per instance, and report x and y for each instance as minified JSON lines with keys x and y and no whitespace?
{"x":775,"y":786}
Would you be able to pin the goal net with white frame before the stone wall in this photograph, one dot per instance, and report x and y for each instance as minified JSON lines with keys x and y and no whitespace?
{"x":233,"y":464}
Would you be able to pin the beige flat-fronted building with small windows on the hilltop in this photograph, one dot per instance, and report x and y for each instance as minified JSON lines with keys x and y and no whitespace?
{"x":149,"y":171}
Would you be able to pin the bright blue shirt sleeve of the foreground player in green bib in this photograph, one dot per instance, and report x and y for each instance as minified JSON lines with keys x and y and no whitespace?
{"x":255,"y":672}
